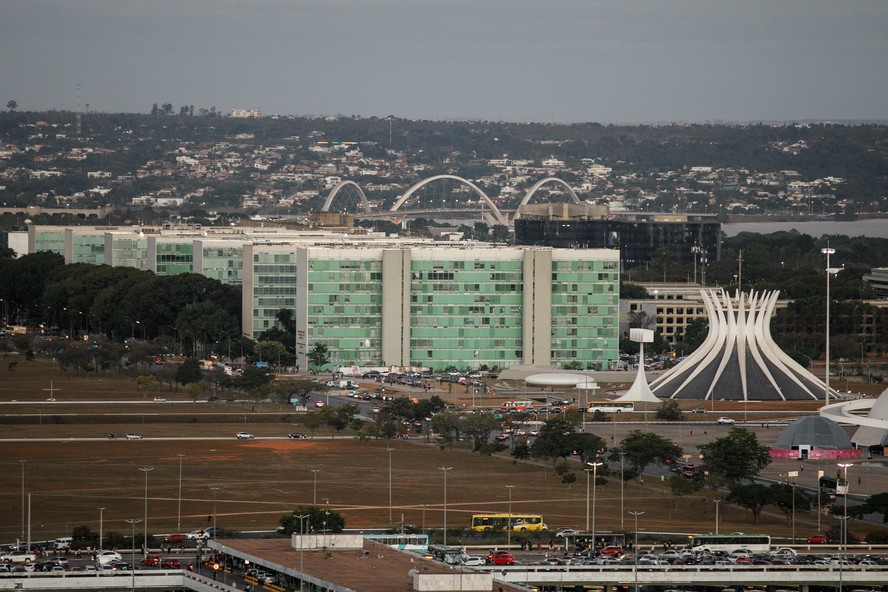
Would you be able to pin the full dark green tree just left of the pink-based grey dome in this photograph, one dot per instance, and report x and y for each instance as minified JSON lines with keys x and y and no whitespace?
{"x":735,"y":457}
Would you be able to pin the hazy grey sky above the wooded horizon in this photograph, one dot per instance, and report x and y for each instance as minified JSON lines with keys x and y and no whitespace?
{"x":619,"y":61}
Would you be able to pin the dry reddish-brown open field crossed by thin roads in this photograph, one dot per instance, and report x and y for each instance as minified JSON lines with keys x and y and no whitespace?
{"x":258,"y":480}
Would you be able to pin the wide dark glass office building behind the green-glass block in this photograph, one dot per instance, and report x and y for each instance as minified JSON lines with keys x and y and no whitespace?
{"x":637,"y":235}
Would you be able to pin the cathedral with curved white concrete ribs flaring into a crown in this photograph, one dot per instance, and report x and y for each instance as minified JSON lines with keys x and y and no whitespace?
{"x":739,"y":359}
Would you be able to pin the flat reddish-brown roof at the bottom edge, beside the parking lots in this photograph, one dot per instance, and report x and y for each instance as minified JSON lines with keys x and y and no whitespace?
{"x":371,"y":567}
